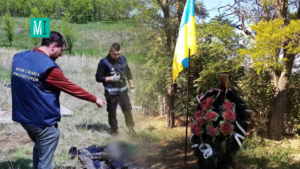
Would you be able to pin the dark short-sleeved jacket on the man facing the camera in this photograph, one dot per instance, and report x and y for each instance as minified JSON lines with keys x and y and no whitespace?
{"x":108,"y":67}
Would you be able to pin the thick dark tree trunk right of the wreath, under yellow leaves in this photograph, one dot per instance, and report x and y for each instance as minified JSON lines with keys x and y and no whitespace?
{"x":276,"y":123}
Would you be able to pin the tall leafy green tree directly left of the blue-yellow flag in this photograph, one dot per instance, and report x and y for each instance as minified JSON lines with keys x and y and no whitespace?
{"x":161,"y":19}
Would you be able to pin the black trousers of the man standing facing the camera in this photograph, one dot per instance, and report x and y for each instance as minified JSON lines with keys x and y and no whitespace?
{"x":123,"y":100}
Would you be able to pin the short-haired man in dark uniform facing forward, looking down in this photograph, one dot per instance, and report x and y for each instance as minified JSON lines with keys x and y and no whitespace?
{"x":113,"y":71}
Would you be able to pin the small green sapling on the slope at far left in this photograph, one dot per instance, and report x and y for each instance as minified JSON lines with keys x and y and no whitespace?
{"x":9,"y":27}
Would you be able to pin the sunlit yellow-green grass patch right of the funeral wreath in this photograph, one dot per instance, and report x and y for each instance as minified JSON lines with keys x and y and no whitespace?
{"x":261,"y":153}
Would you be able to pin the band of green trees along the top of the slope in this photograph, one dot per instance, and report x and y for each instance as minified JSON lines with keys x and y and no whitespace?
{"x":82,"y":11}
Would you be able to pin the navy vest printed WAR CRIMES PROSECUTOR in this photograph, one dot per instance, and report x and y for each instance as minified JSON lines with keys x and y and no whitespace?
{"x":34,"y":102}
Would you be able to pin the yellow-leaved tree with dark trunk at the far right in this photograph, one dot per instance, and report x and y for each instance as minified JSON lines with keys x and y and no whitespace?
{"x":275,"y":34}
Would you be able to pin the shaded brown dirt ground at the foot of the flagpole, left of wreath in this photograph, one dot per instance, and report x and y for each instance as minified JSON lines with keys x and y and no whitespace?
{"x":165,"y":154}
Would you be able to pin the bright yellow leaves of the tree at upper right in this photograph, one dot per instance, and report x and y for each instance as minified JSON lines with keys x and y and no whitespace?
{"x":265,"y":49}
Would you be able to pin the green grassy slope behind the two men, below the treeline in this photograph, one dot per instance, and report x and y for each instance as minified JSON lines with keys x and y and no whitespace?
{"x":93,"y":39}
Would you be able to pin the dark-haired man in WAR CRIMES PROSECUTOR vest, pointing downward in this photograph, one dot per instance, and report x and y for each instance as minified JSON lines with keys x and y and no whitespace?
{"x":36,"y":84}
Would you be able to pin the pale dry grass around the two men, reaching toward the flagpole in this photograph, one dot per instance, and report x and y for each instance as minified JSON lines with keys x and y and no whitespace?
{"x":88,"y":126}
